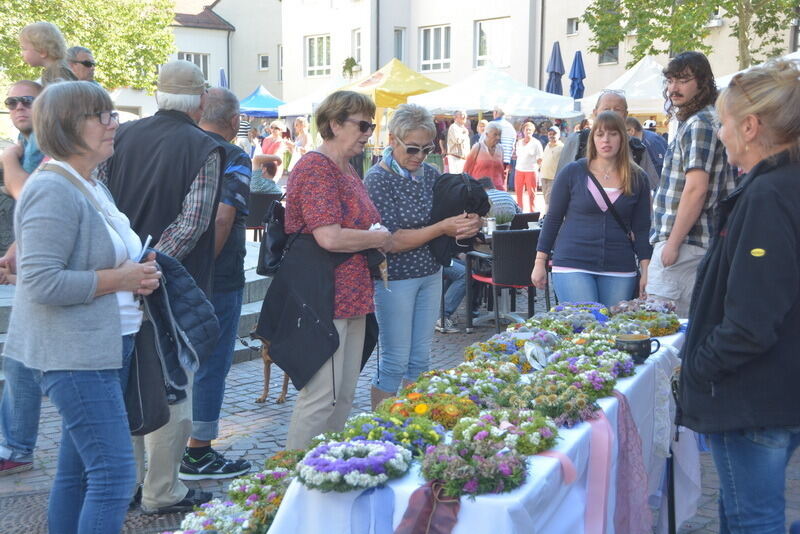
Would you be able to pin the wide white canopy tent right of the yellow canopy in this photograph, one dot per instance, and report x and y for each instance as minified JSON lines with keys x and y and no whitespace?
{"x":487,"y":88}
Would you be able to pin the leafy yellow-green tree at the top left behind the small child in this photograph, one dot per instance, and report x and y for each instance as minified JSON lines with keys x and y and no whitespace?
{"x":129,"y":38}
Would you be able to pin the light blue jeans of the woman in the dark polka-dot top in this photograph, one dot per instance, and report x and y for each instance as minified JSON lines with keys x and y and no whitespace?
{"x":406,"y":314}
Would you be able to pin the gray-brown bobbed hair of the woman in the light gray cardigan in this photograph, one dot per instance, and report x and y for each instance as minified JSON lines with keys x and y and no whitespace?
{"x":59,"y":113}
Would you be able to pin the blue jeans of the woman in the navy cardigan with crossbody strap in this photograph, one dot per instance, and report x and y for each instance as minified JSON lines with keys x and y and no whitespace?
{"x":583,"y":287}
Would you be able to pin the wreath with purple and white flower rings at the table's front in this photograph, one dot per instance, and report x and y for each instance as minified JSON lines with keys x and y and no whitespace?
{"x":353,"y":465}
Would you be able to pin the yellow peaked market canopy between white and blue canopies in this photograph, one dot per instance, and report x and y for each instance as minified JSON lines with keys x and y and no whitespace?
{"x":392,"y":84}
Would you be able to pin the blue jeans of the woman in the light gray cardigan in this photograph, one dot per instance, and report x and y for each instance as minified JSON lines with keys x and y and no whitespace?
{"x":96,"y":471}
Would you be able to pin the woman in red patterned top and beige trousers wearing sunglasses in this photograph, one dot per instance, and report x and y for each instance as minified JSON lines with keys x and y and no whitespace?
{"x":326,"y":195}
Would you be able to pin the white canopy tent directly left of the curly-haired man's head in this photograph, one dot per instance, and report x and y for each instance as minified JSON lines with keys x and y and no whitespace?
{"x":643,"y":85}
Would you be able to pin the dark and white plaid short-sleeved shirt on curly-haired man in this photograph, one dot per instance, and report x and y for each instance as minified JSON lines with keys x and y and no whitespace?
{"x":695,"y":146}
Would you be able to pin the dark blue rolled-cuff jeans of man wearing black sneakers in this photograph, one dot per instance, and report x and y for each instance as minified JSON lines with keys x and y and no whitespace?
{"x":209,"y":381}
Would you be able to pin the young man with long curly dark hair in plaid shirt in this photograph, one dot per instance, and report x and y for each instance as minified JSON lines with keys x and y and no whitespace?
{"x":695,"y":177}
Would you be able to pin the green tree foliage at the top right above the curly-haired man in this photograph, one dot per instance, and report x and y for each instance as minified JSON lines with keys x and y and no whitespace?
{"x":662,"y":26}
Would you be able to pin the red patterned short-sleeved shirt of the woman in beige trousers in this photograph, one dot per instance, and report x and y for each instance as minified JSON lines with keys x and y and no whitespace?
{"x":319,"y":194}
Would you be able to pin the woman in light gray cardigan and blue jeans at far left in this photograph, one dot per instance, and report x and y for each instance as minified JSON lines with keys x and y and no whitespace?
{"x":74,"y":313}
